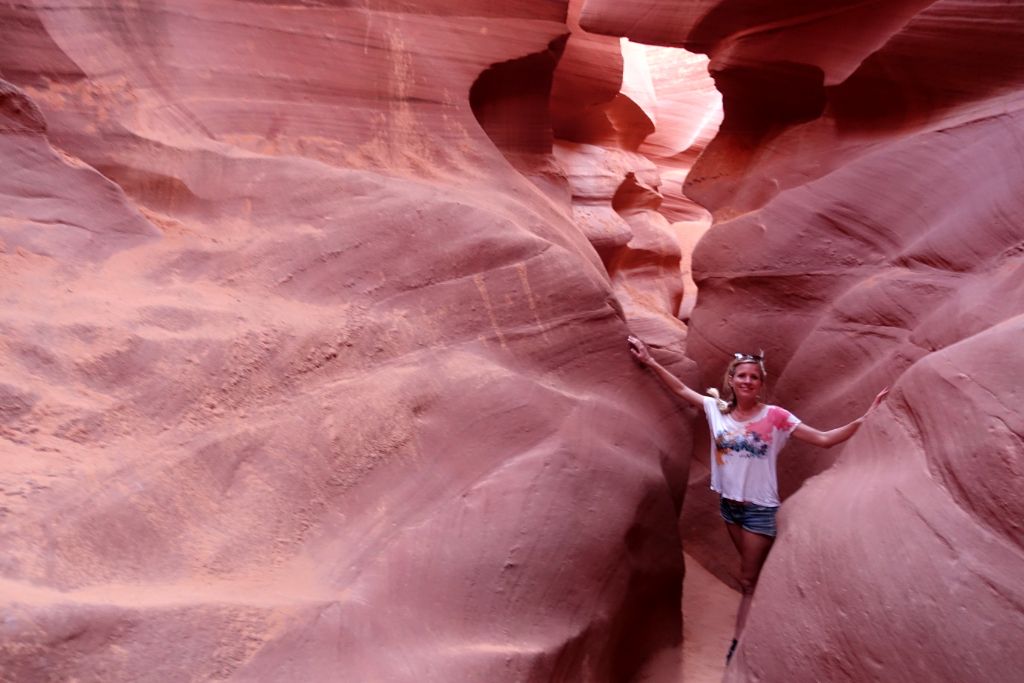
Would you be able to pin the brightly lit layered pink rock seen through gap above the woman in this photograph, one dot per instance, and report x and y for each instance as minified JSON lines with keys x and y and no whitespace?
{"x":626,"y":146}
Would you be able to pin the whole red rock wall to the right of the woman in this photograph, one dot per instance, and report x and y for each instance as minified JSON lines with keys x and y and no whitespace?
{"x":866,"y":189}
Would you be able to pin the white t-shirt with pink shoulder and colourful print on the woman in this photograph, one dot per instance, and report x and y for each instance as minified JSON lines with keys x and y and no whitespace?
{"x":744,"y":453}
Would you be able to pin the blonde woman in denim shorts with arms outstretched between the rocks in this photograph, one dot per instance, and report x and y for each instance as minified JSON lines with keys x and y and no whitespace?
{"x":746,"y":438}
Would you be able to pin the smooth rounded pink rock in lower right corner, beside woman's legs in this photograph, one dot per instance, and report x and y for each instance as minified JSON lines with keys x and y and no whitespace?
{"x":926,"y":587}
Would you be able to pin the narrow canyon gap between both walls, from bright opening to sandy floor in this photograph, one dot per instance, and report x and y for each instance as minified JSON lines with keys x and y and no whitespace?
{"x":625,"y":123}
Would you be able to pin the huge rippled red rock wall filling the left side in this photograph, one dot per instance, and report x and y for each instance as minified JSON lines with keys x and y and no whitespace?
{"x":302,"y":378}
